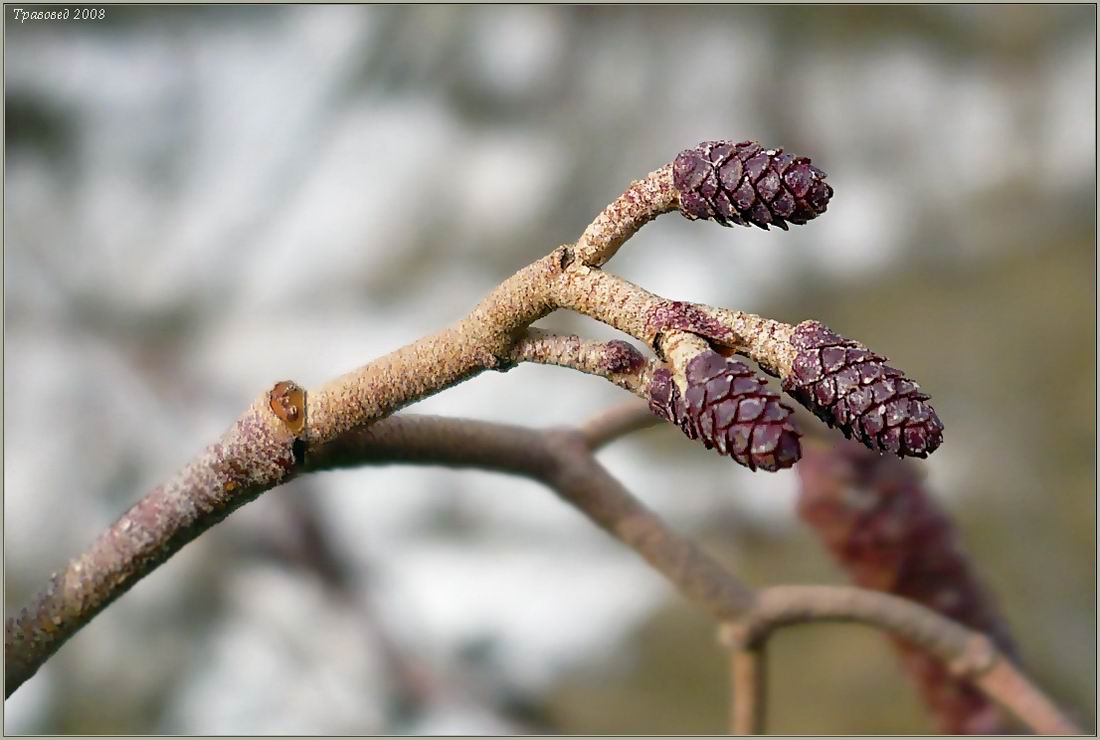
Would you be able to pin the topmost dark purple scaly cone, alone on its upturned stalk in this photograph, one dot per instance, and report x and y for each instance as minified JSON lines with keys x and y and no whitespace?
{"x":745,"y":184}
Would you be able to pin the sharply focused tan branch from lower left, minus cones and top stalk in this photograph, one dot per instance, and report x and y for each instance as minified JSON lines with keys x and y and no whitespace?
{"x":239,"y":468}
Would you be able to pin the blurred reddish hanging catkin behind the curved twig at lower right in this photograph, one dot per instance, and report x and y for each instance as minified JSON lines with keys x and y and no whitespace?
{"x":886,"y":531}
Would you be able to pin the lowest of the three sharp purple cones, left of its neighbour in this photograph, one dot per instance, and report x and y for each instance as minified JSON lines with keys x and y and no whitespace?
{"x":731,"y":411}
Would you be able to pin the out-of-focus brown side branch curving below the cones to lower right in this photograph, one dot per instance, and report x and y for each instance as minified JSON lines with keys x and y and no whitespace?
{"x":563,"y":459}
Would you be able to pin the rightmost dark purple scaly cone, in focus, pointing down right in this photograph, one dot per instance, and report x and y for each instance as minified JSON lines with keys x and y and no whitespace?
{"x":850,"y":388}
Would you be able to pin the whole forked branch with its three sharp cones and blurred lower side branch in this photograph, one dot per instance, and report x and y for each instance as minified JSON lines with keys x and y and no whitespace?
{"x":351,"y":421}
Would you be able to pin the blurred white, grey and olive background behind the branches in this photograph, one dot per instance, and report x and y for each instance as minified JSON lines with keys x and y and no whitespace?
{"x":202,"y":201}
